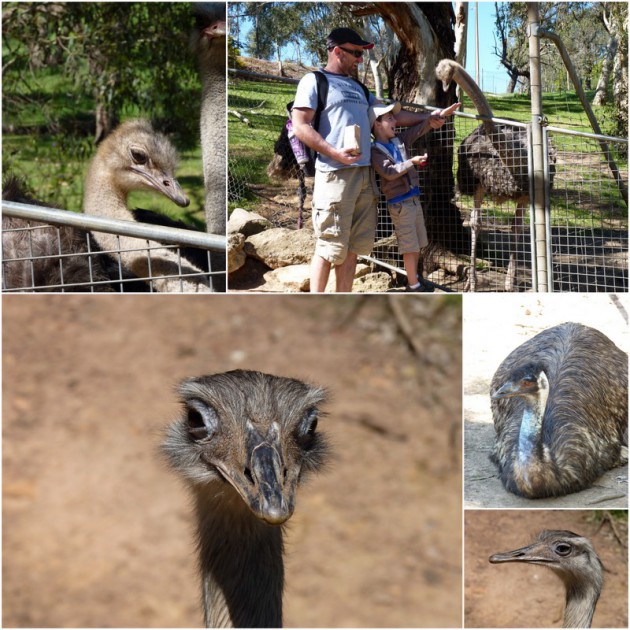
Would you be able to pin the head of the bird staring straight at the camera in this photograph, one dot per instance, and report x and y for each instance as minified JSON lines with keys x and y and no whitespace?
{"x":253,"y":431}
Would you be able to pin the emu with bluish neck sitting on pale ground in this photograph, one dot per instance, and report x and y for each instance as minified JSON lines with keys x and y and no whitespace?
{"x":560,"y":408}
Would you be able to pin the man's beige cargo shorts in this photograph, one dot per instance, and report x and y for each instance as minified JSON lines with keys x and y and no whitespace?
{"x":344,"y":212}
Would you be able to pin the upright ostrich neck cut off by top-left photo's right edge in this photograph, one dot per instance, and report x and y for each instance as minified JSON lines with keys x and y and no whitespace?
{"x":209,"y":44}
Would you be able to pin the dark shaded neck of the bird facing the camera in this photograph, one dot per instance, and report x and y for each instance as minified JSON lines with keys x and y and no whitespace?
{"x":241,"y":563}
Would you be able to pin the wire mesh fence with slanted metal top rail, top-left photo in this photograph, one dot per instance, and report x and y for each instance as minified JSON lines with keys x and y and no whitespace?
{"x":49,"y":250}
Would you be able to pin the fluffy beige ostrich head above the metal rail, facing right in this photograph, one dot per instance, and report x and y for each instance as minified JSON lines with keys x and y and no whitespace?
{"x":136,"y":157}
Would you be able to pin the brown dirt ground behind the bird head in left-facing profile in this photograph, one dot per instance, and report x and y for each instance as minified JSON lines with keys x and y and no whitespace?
{"x":530,"y":596}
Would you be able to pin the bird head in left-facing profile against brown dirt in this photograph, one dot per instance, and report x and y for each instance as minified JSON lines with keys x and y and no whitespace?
{"x":571,"y":556}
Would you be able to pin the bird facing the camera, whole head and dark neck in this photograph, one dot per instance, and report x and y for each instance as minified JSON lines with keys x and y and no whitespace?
{"x":244,"y":442}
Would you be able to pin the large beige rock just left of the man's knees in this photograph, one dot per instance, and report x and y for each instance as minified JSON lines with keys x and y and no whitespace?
{"x":280,"y":247}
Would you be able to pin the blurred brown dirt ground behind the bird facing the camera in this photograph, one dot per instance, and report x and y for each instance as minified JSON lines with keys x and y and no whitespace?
{"x":97,"y":532}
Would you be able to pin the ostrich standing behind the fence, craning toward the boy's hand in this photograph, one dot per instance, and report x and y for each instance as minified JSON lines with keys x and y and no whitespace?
{"x":493,"y":160}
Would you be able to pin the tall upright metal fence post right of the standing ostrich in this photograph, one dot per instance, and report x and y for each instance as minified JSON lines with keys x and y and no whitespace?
{"x":538,"y":156}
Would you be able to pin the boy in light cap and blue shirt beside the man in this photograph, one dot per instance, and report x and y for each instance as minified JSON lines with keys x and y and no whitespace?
{"x":400,"y":185}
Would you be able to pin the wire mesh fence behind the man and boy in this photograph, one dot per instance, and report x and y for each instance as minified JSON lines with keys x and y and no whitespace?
{"x":586,"y":214}
